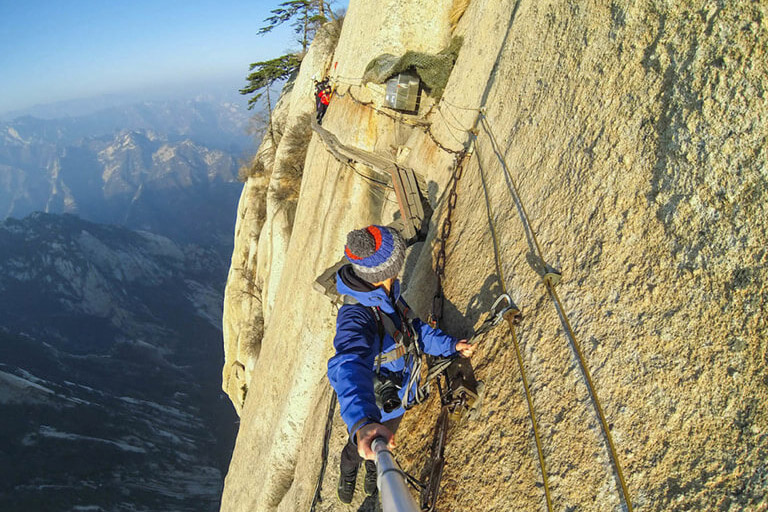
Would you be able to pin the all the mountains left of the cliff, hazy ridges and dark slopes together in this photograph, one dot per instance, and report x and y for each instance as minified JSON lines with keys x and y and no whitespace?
{"x":110,"y":319}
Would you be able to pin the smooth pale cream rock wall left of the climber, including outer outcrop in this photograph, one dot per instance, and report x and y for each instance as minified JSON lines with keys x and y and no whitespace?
{"x":284,"y":370}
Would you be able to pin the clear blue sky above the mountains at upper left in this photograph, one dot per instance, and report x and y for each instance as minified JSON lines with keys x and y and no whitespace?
{"x":53,"y":50}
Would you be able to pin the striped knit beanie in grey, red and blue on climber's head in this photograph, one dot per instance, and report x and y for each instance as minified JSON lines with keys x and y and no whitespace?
{"x":376,"y":252}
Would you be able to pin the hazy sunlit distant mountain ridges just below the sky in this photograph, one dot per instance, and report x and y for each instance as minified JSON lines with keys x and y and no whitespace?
{"x":166,"y":167}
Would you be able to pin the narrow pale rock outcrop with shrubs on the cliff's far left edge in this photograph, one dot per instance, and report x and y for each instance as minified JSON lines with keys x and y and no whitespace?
{"x":264,"y":223}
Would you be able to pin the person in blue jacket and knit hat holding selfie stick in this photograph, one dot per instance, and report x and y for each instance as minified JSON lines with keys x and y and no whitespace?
{"x":372,"y":371}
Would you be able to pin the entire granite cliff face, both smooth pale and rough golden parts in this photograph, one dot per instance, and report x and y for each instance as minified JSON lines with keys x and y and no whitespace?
{"x":635,"y":135}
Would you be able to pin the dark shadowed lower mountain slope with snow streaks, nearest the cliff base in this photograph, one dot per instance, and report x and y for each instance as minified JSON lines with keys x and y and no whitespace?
{"x":110,"y":360}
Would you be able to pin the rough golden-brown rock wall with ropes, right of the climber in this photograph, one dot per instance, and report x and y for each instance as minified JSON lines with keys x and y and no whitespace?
{"x":634,"y":136}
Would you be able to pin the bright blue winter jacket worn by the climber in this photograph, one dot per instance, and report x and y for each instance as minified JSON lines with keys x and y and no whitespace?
{"x":357,"y":344}
